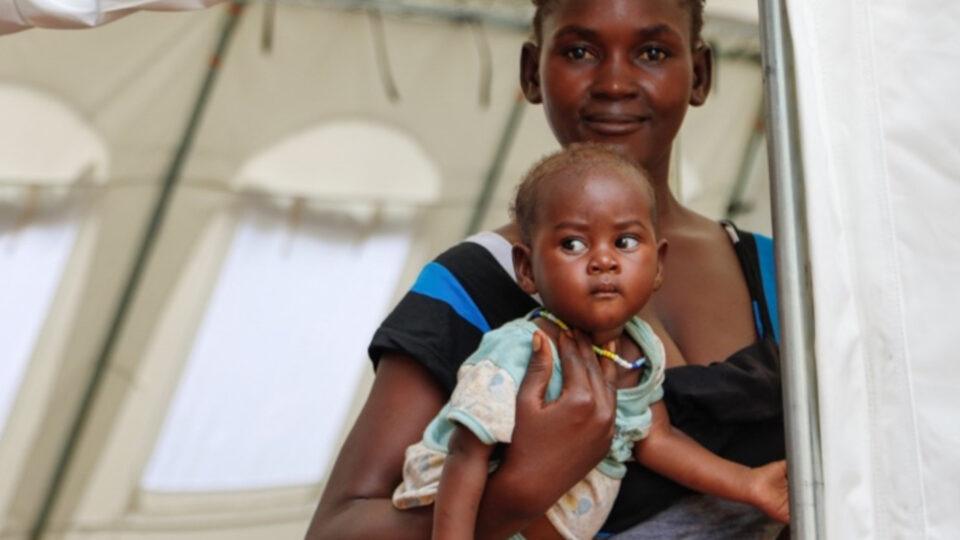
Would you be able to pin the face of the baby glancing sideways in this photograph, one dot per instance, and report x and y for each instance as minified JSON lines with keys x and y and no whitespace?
{"x":595,"y":255}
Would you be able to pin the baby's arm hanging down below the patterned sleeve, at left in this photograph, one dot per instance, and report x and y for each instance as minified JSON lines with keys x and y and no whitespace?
{"x":461,"y":486}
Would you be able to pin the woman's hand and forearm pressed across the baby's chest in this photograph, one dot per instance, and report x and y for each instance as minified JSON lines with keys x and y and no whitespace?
{"x":555,"y":444}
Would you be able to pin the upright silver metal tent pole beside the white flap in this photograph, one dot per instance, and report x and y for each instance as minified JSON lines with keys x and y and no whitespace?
{"x":801,"y":412}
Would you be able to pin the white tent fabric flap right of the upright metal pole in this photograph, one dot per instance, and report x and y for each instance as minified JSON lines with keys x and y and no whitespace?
{"x":878,"y":87}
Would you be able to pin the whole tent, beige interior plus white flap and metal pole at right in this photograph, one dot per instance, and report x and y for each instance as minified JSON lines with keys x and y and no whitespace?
{"x":203,"y":215}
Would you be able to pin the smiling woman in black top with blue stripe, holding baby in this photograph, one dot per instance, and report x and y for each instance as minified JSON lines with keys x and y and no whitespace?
{"x":622,"y":73}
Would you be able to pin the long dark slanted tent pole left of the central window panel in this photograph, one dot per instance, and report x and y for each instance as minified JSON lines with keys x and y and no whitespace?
{"x":147,"y":244}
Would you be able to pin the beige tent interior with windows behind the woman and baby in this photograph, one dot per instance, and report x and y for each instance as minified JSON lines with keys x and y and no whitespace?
{"x":272,"y":175}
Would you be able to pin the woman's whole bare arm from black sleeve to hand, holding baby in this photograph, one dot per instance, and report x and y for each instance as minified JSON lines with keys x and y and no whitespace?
{"x":554,"y":445}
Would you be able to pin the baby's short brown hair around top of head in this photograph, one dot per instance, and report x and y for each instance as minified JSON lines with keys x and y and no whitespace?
{"x":579,"y":157}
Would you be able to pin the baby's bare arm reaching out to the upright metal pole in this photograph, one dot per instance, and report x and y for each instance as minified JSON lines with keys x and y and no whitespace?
{"x":676,"y":456}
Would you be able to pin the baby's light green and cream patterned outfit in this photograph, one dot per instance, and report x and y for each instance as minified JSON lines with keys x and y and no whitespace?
{"x":484,"y":402}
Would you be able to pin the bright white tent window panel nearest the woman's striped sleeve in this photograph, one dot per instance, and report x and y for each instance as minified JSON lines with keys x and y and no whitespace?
{"x":229,"y":388}
